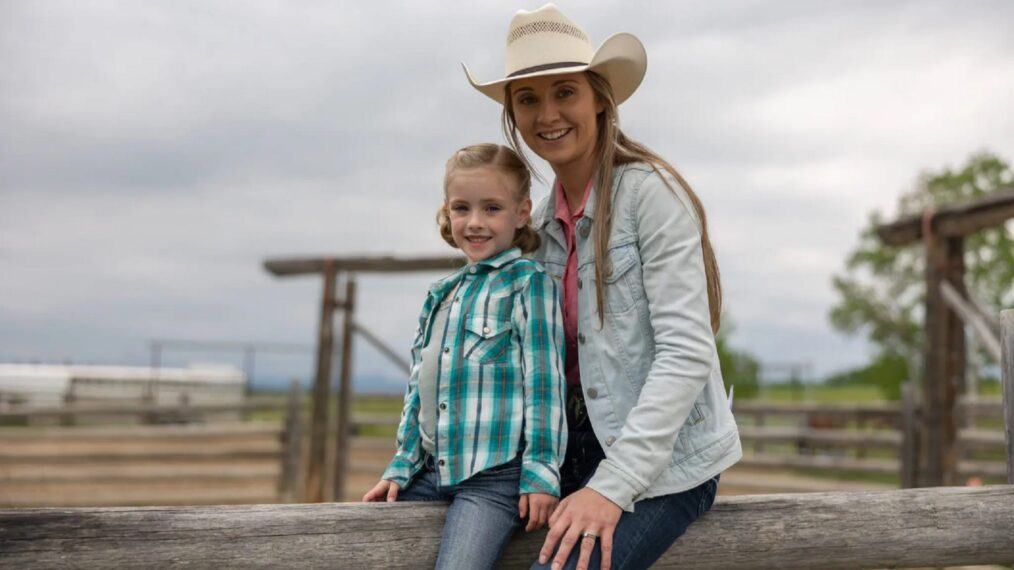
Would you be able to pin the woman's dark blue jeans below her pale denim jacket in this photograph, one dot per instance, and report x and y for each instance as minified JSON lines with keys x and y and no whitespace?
{"x":641,"y":537}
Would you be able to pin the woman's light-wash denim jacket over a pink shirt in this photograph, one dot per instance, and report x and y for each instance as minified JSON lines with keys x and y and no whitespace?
{"x":650,"y":375}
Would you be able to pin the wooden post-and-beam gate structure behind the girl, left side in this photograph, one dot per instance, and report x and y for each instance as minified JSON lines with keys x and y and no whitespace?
{"x":330,"y":269}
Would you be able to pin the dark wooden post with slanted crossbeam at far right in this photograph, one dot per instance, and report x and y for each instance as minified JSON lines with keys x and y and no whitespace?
{"x":943,"y":234}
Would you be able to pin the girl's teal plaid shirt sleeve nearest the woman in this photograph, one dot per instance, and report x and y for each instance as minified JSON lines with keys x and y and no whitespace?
{"x":539,"y":323}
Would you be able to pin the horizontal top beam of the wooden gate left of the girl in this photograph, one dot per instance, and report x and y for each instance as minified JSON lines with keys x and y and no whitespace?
{"x":287,"y":267}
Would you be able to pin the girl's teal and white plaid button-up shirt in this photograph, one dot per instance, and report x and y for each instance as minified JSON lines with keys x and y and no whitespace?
{"x":500,"y":382}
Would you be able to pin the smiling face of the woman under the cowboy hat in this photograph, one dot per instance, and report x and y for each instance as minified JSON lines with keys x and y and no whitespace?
{"x":556,"y":116}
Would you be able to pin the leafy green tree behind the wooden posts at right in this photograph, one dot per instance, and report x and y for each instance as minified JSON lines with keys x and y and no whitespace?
{"x":882,"y":292}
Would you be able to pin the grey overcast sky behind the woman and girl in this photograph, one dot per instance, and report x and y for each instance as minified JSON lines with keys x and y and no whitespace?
{"x":154,"y":155}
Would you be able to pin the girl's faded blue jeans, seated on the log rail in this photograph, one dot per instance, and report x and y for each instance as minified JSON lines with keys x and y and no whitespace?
{"x":482,"y":517}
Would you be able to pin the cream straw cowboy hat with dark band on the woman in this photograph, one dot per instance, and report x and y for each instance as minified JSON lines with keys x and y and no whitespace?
{"x":546,"y":42}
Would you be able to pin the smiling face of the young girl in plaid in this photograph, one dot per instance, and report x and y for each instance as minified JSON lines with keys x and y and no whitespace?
{"x":484,"y":211}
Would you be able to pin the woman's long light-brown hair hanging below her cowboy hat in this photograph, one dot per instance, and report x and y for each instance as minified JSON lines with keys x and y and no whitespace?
{"x":614,"y":149}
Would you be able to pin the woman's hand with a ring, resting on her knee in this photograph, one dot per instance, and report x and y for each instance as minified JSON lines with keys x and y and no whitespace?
{"x":585,"y":512}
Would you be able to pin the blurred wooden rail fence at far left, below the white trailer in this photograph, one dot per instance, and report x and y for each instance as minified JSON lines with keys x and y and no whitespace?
{"x":179,"y":460}
